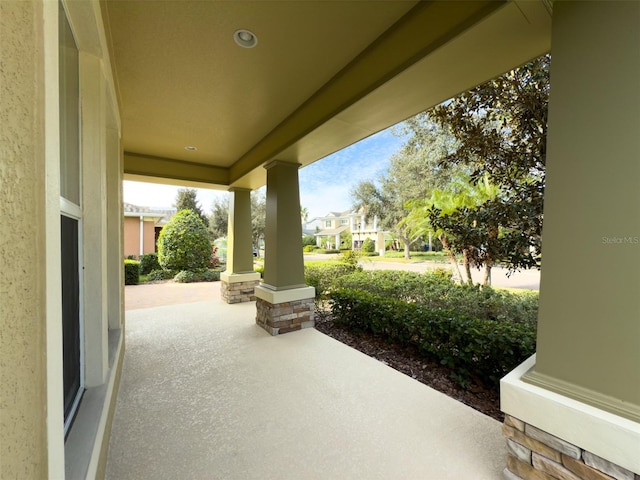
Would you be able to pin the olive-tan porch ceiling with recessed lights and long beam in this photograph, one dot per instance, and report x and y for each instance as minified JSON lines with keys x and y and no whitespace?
{"x":322,"y":76}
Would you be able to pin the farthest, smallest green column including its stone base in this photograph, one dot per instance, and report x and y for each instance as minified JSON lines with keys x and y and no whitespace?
{"x":238,"y":282}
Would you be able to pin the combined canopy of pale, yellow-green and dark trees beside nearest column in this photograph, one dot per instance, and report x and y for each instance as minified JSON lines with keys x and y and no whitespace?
{"x":471,"y":170}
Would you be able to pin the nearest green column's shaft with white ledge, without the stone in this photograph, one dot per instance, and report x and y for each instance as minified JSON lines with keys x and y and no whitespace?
{"x":583,"y":386}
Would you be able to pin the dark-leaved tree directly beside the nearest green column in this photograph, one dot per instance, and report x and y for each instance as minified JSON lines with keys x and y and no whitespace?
{"x":500,"y":129}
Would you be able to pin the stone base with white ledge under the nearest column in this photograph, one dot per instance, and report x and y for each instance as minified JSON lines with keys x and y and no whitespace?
{"x":551,"y":436}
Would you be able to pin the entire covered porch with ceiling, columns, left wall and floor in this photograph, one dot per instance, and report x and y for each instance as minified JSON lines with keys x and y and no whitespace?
{"x":97,"y":91}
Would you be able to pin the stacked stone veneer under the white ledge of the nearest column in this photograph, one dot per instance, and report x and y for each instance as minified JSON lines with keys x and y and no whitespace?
{"x":537,"y":455}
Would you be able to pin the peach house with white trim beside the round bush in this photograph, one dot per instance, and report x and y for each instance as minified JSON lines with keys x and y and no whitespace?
{"x":142,"y":226}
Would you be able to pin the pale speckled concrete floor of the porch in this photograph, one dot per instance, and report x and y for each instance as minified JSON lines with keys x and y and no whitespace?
{"x":206,"y":394}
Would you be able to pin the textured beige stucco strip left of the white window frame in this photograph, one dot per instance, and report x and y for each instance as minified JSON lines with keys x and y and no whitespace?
{"x":22,"y":283}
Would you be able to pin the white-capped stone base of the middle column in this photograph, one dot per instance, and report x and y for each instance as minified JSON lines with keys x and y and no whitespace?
{"x":284,"y":311}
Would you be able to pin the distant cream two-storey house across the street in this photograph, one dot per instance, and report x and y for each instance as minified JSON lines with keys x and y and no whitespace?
{"x":357,"y":223}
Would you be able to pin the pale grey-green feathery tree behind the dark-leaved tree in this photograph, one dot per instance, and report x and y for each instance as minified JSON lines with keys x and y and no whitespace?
{"x":412,"y":174}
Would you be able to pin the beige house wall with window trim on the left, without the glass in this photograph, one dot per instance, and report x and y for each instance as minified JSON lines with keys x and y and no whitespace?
{"x":32,"y":443}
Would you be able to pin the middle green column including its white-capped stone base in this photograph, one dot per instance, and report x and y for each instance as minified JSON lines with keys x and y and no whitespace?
{"x":284,"y":302}
